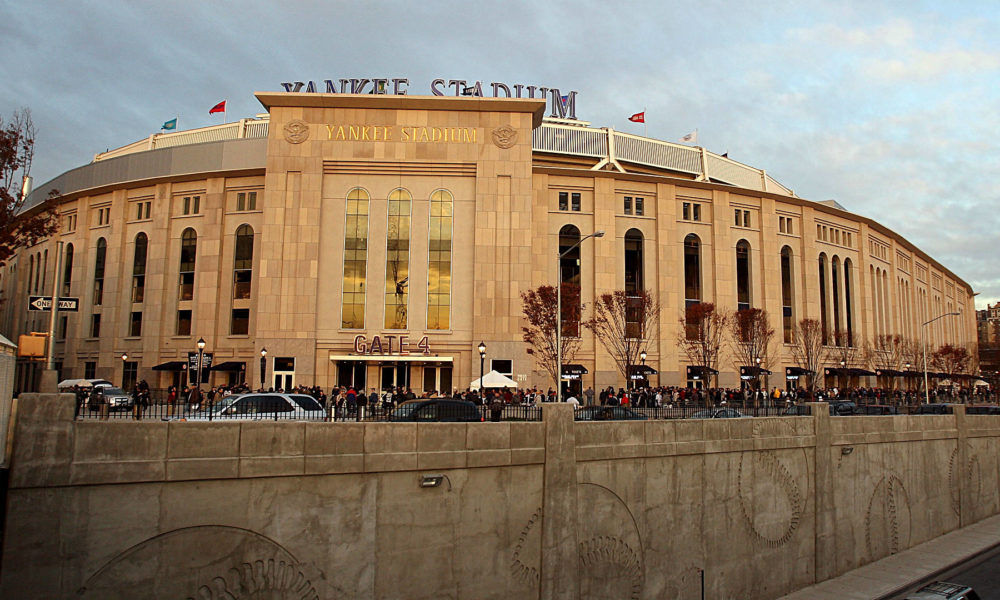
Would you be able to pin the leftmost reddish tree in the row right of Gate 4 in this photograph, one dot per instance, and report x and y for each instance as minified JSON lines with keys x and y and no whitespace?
{"x":539,"y":308}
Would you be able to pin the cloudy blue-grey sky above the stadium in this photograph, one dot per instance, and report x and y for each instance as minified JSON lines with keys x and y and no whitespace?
{"x":889,"y":108}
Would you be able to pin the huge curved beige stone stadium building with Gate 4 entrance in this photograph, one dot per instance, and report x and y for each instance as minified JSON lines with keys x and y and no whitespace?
{"x":376,"y":240}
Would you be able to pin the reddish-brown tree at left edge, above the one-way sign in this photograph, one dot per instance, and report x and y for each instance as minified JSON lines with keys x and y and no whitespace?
{"x":19,"y":228}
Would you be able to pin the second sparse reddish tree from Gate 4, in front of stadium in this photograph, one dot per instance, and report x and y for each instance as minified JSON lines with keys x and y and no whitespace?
{"x":624,"y":322}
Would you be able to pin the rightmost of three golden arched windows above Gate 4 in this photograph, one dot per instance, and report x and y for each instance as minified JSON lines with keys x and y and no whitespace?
{"x":439,"y":261}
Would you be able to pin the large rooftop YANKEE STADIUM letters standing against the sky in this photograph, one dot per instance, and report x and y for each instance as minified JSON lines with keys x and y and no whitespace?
{"x":561,"y":105}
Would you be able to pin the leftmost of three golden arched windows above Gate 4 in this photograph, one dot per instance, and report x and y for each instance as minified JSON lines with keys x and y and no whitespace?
{"x":355,"y":260}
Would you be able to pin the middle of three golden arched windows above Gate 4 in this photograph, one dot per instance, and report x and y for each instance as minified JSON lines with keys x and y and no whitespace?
{"x":397,"y":259}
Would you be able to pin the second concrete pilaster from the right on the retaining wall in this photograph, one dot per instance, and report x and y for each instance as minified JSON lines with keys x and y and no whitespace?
{"x":825,"y":544}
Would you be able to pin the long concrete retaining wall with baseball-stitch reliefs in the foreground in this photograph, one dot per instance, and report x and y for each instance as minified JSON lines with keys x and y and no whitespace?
{"x":527,"y":510}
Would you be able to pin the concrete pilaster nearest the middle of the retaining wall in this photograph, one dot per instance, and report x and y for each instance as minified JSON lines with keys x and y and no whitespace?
{"x":559,"y":578}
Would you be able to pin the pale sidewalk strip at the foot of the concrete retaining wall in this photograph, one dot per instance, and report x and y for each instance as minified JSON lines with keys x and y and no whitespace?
{"x":896,"y":573}
